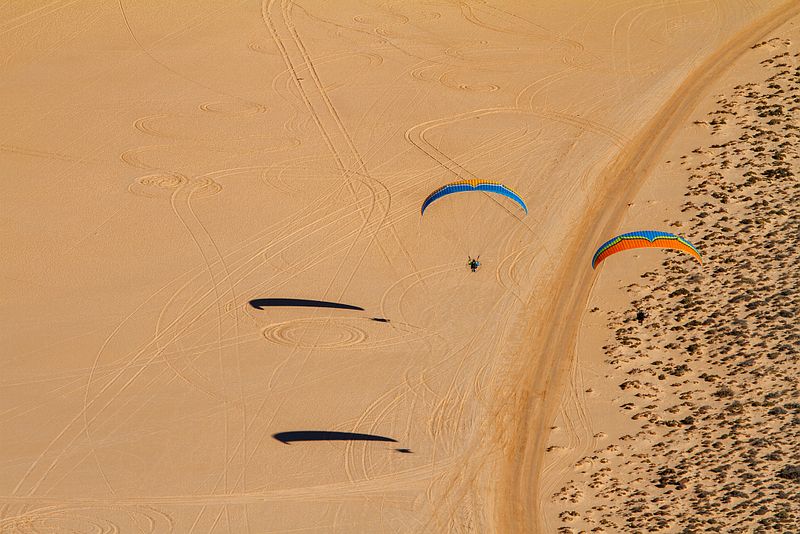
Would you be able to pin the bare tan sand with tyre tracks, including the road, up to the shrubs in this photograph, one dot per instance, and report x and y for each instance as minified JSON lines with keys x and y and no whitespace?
{"x":167,"y":163}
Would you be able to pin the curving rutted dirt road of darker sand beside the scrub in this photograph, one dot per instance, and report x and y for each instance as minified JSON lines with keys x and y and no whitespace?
{"x":535,"y":405}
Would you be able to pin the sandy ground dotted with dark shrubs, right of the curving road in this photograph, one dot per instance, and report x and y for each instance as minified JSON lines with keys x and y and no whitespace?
{"x":687,"y":420}
